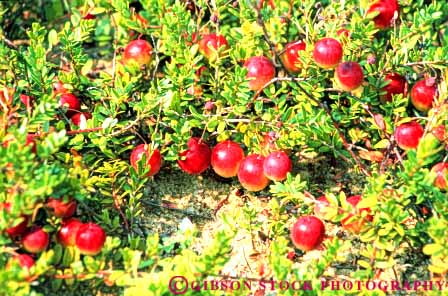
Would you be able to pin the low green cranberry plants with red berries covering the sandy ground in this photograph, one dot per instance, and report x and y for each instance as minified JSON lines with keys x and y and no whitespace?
{"x":98,"y":97}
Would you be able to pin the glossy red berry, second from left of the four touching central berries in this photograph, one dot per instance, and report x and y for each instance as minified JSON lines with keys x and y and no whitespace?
{"x":226,"y":158}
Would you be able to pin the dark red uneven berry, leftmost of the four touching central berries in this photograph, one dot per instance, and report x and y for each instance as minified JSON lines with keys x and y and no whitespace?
{"x":196,"y":158}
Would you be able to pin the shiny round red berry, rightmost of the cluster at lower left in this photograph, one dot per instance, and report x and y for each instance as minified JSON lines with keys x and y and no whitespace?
{"x":90,"y":239}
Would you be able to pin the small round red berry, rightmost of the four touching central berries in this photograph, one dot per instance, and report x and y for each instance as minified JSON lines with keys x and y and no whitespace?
{"x":277,"y":165}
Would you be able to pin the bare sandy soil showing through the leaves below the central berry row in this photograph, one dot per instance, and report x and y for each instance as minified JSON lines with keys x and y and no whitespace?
{"x":175,"y":195}
